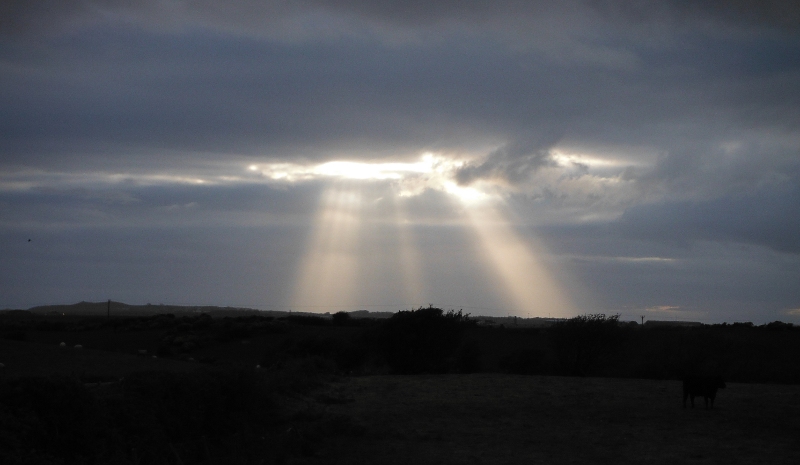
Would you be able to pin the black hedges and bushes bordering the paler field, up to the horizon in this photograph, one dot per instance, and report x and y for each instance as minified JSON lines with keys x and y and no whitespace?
{"x":245,"y":395}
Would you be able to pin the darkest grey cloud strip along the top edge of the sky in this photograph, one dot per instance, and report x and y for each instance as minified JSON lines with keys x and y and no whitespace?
{"x":21,"y":15}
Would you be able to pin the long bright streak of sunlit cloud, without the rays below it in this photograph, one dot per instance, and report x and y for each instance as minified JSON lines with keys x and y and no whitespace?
{"x":589,"y":184}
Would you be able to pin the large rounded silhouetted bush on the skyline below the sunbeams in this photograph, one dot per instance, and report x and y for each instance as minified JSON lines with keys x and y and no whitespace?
{"x":422,"y":340}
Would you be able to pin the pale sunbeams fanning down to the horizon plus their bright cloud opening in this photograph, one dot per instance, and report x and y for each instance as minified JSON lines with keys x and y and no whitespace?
{"x":338,"y":270}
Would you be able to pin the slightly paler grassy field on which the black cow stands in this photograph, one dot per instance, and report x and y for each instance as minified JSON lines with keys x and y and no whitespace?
{"x":499,"y":419}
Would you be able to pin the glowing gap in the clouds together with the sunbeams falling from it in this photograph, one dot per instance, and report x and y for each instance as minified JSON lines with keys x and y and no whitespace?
{"x":332,"y":271}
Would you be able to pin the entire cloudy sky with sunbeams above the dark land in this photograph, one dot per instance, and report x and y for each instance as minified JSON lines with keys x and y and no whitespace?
{"x":504,"y":157}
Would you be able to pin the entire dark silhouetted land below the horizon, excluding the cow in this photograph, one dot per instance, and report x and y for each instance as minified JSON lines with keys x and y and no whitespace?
{"x":197,"y":390}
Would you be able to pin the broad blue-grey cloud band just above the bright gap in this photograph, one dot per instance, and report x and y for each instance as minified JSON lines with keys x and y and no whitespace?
{"x":205,"y":92}
